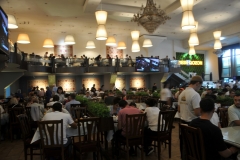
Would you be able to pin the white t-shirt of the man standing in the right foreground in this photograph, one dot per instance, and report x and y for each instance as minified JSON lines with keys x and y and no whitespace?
{"x":188,"y":100}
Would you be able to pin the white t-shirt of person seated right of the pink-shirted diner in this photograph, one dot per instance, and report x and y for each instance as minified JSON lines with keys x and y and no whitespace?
{"x":152,"y":117}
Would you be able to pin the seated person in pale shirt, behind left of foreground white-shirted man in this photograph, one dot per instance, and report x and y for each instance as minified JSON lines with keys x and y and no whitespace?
{"x":37,"y":110}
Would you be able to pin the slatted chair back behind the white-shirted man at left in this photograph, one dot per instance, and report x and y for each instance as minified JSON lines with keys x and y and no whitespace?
{"x":51,"y":133}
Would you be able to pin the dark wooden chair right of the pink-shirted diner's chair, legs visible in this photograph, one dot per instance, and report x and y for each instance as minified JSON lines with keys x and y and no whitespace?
{"x":164,"y":131}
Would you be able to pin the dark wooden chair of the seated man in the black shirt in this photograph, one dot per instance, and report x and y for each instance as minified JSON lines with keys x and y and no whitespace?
{"x":193,"y":141}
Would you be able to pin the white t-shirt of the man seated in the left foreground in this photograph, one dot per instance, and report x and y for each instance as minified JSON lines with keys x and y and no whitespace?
{"x":58,"y":116}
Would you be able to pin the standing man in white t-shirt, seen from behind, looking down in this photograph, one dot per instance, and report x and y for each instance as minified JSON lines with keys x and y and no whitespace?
{"x":188,"y":101}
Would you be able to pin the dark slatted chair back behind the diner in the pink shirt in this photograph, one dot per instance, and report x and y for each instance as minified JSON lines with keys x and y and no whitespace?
{"x":135,"y":125}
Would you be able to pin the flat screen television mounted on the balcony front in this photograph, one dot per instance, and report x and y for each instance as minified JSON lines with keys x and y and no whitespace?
{"x":147,"y":64}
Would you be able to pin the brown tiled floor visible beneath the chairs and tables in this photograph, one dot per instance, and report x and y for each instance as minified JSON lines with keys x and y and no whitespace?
{"x":14,"y":150}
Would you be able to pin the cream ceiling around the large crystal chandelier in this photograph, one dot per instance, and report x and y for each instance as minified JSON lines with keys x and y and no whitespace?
{"x":77,"y":17}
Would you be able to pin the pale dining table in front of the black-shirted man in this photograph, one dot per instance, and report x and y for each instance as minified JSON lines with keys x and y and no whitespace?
{"x":231,"y":135}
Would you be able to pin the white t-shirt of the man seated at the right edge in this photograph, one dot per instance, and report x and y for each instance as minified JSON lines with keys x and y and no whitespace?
{"x":233,"y":115}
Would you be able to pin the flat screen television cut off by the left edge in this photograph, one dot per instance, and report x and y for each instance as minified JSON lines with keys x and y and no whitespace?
{"x":4,"y":47}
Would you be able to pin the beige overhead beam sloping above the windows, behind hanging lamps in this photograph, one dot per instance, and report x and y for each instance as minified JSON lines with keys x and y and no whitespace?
{"x":206,"y":37}
